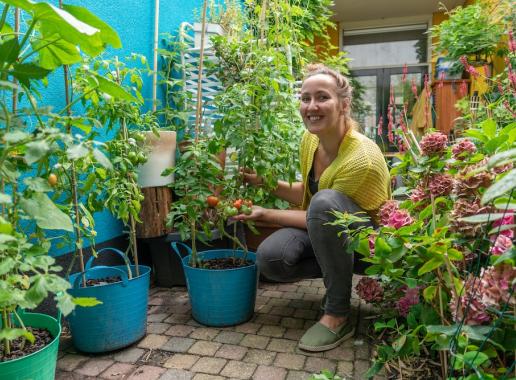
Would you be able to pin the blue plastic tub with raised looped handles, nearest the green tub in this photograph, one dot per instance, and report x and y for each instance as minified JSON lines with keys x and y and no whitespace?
{"x":121,"y":319}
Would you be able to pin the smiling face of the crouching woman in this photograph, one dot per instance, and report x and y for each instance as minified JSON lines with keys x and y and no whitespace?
{"x":321,"y":108}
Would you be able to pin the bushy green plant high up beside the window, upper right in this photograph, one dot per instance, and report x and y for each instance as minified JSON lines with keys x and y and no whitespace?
{"x":471,"y":31}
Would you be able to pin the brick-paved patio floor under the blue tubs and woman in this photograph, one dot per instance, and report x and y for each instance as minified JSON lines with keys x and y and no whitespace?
{"x":178,"y":348}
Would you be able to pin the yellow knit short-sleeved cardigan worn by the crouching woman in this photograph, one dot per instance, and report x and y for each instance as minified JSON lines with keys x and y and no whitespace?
{"x":359,"y":171}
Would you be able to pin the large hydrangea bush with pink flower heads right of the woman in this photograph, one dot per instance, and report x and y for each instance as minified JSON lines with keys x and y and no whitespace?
{"x":442,"y":263}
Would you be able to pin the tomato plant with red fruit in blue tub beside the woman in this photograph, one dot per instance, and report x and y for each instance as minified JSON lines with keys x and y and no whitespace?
{"x":221,"y":282}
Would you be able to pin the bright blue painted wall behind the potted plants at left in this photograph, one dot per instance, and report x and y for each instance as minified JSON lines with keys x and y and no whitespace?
{"x":134,"y":22}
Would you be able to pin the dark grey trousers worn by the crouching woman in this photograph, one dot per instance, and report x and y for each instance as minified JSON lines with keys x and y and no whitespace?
{"x":292,"y":254}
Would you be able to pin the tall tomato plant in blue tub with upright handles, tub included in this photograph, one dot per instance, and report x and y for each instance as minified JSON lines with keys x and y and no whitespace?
{"x":109,"y":326}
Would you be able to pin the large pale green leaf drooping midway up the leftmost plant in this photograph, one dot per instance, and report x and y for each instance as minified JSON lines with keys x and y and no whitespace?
{"x":46,"y":214}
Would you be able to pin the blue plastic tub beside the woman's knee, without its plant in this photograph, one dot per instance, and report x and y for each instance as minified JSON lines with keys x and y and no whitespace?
{"x":220,"y":297}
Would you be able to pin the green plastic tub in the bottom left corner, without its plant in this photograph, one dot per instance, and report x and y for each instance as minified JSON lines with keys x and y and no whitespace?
{"x":40,"y":365}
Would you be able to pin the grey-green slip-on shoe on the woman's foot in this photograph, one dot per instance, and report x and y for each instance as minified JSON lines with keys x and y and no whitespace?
{"x":321,"y":338}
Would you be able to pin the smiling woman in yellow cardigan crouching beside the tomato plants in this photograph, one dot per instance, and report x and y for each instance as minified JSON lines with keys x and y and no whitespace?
{"x":341,"y":170}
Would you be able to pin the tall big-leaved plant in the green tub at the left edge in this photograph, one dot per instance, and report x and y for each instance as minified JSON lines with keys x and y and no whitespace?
{"x":28,"y":274}
